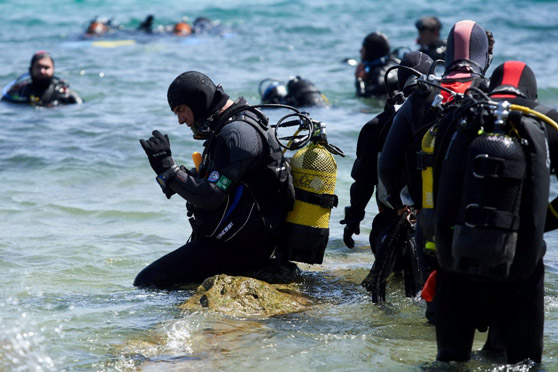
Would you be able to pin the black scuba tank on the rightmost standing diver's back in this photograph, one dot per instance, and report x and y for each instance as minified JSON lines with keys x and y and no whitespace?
{"x":485,"y":235}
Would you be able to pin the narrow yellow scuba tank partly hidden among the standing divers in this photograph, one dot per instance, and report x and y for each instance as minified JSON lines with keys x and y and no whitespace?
{"x":427,"y":213}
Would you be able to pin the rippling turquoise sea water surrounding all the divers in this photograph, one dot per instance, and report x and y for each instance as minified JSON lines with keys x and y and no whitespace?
{"x":81,"y":214}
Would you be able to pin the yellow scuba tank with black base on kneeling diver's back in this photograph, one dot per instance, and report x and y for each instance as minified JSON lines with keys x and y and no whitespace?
{"x":306,"y":229}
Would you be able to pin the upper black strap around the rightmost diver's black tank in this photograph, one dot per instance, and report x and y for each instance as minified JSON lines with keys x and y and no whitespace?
{"x":489,"y":166}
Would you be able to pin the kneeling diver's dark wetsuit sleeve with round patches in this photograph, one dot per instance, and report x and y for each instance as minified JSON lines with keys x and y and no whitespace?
{"x":236,"y":151}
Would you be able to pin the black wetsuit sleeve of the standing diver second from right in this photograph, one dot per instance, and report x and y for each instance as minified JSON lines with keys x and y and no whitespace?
{"x":392,"y":159}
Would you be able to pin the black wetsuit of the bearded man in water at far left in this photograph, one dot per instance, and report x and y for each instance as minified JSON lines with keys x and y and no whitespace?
{"x":57,"y":93}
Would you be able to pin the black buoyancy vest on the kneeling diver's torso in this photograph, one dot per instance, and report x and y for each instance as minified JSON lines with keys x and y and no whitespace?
{"x":247,"y":211}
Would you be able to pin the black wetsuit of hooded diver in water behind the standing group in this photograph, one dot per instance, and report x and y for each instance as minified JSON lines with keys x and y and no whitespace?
{"x":373,"y":85}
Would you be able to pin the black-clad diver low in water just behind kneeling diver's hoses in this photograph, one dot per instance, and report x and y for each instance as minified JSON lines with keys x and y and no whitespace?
{"x":298,"y":92}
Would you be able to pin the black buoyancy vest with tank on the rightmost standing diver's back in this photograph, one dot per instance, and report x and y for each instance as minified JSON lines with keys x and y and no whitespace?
{"x":491,"y":184}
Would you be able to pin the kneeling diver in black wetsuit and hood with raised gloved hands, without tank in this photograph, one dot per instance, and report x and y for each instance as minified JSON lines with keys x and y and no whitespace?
{"x":238,"y":196}
